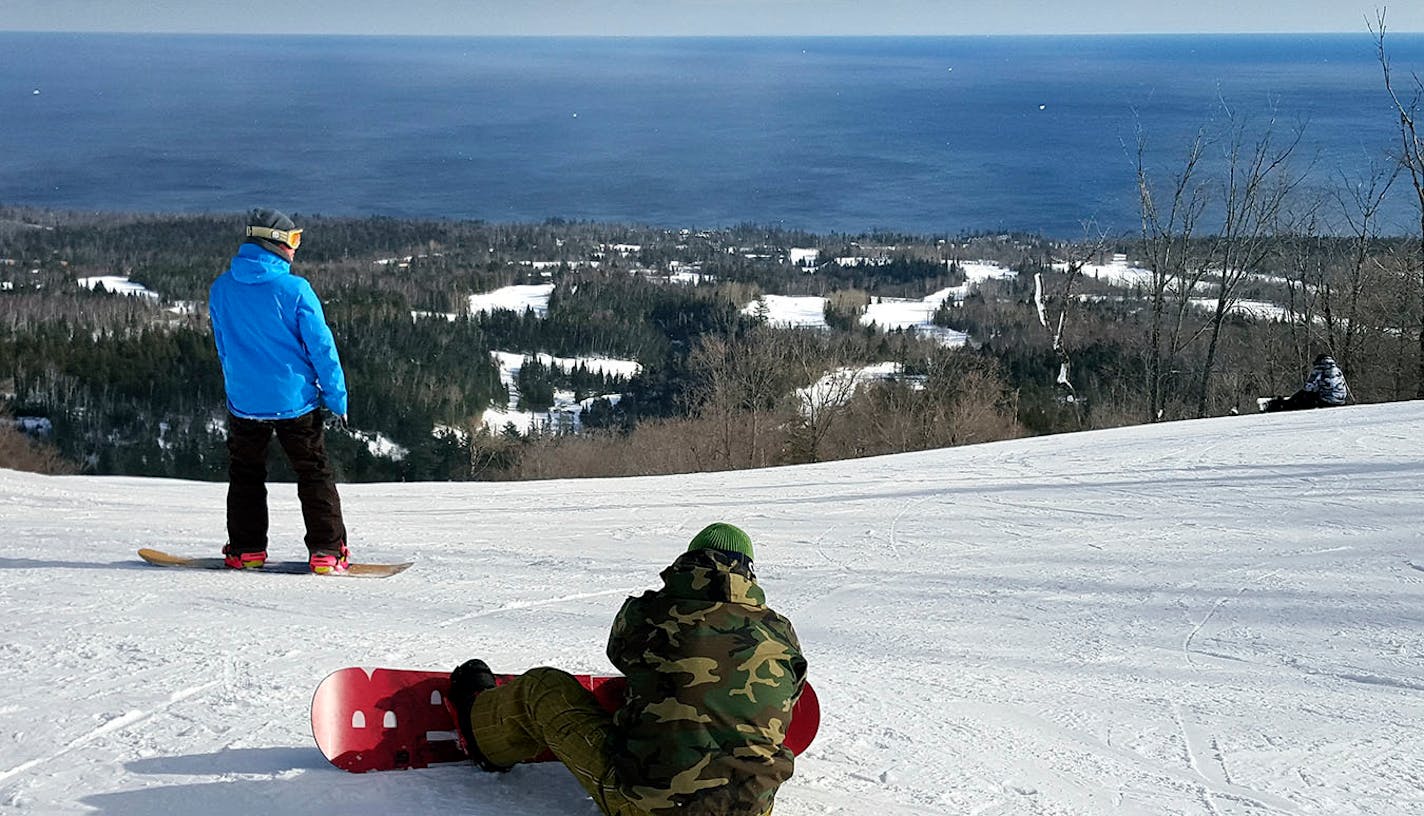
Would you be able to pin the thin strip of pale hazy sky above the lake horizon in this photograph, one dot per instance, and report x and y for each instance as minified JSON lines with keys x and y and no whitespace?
{"x":653,"y":18}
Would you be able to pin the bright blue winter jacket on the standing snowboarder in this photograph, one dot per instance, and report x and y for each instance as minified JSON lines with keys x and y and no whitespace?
{"x":278,"y":357}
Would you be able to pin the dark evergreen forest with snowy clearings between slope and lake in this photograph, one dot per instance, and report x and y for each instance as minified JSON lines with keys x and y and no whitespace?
{"x":108,"y":382}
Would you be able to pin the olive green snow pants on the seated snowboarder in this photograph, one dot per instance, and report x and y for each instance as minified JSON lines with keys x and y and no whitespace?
{"x":548,"y":708}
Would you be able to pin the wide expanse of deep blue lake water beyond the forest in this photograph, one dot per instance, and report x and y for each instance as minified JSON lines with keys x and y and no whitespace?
{"x":941,"y":135}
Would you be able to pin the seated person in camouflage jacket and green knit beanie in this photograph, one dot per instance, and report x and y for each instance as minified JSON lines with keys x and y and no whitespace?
{"x":713,"y":679}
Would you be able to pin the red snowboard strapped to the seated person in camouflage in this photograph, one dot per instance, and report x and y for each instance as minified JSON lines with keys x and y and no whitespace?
{"x":389,"y":720}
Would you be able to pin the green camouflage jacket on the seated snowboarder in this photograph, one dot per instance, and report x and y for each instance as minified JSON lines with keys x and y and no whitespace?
{"x":713,"y":679}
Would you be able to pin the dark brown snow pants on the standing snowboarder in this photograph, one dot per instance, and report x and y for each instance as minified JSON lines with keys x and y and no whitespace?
{"x":304,"y":444}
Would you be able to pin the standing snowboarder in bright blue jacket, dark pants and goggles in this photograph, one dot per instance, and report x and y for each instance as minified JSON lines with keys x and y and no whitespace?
{"x":280,"y":368}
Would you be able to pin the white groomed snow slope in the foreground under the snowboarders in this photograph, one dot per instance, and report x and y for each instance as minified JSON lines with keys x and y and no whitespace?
{"x":1205,"y":619}
